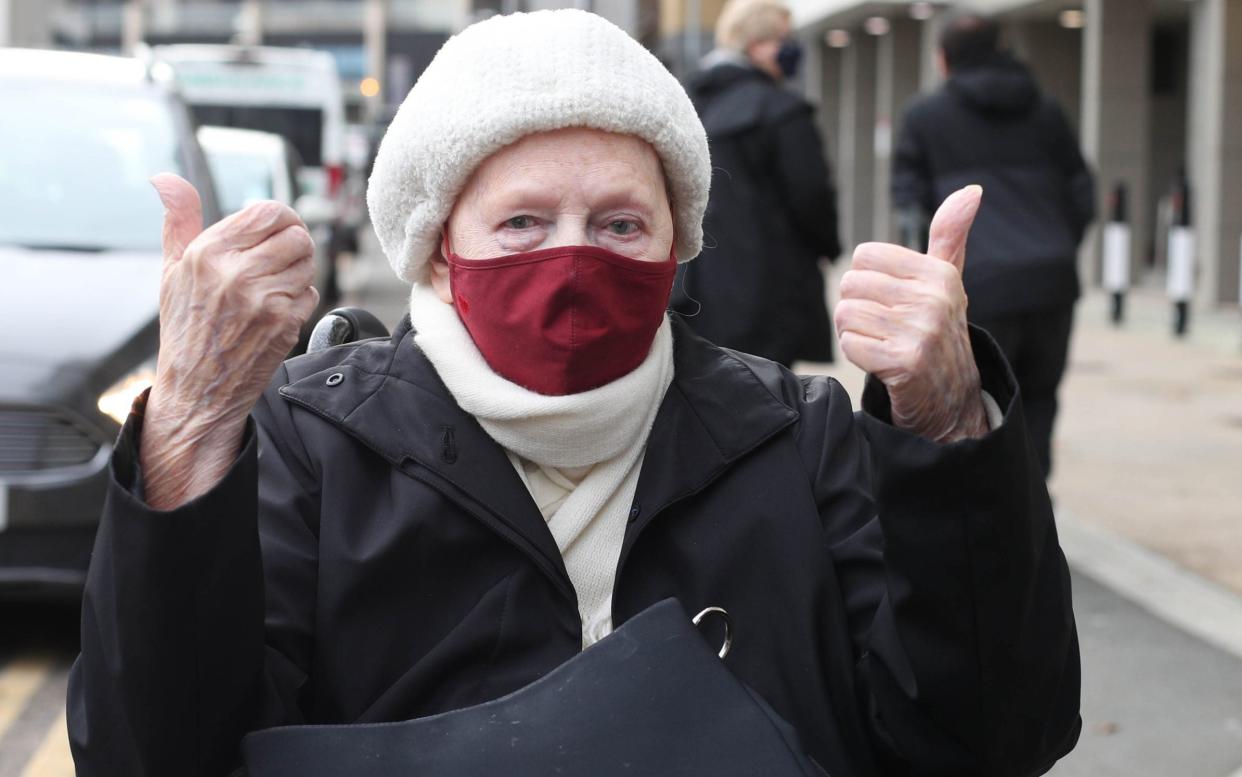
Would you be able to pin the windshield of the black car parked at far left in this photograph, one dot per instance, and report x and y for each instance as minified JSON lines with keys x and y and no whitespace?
{"x":75,"y":167}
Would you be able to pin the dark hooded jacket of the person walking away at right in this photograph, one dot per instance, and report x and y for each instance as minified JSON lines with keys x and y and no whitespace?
{"x":992,"y":126}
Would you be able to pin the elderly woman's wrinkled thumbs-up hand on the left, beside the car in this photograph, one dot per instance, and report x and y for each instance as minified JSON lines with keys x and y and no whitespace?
{"x":233,"y":302}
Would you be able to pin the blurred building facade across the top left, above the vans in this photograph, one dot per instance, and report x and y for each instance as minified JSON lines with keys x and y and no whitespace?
{"x":389,"y":42}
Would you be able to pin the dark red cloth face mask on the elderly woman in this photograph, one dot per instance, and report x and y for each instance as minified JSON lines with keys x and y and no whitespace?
{"x":562,"y":321}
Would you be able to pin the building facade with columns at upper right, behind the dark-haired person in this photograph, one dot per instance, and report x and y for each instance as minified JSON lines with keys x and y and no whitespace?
{"x":1153,"y":86}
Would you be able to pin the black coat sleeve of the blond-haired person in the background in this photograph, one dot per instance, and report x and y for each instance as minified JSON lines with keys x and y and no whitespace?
{"x":805,"y":181}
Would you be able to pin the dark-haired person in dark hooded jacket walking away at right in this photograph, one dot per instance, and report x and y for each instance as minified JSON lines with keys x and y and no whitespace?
{"x":990,"y":125}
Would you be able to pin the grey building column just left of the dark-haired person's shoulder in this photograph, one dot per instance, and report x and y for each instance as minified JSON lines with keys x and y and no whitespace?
{"x":897,"y":81}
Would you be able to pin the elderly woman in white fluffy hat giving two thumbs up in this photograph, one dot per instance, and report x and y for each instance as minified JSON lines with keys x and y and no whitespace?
{"x":399,"y":528}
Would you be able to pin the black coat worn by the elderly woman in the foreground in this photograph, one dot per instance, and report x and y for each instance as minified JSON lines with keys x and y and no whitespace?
{"x":373,"y":557}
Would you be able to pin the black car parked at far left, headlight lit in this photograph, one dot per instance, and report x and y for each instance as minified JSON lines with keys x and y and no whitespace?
{"x":80,"y":267}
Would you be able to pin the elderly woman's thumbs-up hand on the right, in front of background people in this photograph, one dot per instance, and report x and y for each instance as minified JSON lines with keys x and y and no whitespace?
{"x":902,"y":317}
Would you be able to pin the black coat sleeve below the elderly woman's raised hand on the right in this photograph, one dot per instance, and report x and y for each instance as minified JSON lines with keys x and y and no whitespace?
{"x":956,"y":588}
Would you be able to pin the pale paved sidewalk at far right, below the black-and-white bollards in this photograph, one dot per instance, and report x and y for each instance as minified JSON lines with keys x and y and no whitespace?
{"x":1149,"y":441}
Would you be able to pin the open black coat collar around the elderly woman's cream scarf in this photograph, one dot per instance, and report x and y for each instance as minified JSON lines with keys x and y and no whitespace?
{"x":392,"y":400}
